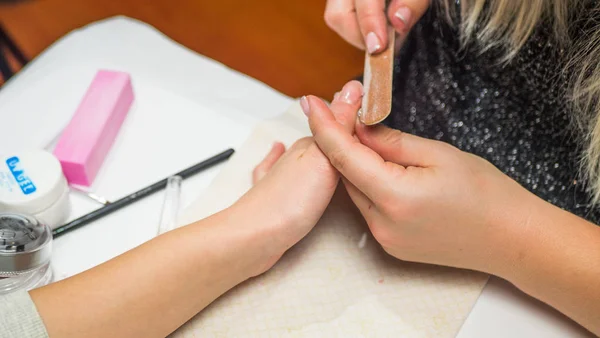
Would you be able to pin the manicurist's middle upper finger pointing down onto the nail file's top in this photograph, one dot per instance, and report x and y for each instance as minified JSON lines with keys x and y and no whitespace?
{"x":373,"y":24}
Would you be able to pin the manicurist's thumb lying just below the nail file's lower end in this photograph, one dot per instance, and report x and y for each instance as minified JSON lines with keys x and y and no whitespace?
{"x":402,"y":148}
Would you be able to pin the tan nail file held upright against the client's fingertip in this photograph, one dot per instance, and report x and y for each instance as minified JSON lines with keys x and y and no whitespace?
{"x":378,"y":78}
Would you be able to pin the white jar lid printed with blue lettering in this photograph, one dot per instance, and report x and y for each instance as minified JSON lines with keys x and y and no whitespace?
{"x":30,"y":182}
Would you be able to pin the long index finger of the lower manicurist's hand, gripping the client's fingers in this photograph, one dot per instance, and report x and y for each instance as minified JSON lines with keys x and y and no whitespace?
{"x":359,"y":164}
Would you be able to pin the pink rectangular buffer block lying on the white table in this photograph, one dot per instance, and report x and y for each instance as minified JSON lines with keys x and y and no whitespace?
{"x":91,"y":132}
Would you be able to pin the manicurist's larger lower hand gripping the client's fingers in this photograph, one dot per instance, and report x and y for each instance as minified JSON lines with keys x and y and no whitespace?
{"x":424,"y":200}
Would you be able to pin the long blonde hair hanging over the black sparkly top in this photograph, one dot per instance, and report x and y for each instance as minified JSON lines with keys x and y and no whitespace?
{"x":508,"y":24}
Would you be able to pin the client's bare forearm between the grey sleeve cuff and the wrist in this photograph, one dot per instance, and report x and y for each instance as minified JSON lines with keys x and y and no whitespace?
{"x":153,"y":289}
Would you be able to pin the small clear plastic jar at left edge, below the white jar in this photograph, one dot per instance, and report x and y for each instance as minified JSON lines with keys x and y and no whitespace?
{"x":25,"y":250}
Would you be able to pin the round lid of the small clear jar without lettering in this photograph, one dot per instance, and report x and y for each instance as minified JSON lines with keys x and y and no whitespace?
{"x":25,"y":243}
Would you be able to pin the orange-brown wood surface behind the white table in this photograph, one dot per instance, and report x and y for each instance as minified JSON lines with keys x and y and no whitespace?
{"x":284,"y":43}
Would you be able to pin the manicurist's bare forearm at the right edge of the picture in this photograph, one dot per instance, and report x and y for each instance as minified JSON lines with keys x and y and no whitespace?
{"x":558,"y":262}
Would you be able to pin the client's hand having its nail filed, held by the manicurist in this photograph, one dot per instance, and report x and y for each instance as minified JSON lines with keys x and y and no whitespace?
{"x":293,"y":187}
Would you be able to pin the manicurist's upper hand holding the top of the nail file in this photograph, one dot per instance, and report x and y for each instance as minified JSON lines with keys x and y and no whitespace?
{"x":363,"y":23}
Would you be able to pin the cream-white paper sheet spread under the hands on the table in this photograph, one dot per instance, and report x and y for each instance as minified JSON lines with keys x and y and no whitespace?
{"x":327,"y":285}
